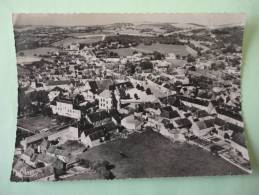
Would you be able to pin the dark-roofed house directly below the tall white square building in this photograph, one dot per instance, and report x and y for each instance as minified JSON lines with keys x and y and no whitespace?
{"x":98,"y":118}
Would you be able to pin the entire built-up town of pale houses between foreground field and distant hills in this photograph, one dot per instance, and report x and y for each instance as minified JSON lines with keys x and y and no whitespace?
{"x":101,"y":101}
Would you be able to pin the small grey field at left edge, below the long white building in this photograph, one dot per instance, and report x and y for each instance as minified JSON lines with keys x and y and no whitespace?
{"x":36,"y":123}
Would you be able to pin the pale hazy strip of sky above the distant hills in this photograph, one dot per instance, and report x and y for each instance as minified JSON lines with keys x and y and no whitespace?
{"x":98,"y":19}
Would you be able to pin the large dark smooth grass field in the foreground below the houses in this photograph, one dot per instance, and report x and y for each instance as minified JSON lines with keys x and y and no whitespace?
{"x":151,"y":155}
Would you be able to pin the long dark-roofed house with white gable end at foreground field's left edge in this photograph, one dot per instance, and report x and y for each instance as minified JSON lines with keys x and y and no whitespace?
{"x":95,"y":136}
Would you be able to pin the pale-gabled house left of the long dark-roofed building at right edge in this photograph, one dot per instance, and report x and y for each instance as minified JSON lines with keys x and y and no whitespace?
{"x":202,"y":128}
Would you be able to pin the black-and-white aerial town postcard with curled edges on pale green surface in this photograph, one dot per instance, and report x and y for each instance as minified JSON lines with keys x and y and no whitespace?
{"x":136,"y":99}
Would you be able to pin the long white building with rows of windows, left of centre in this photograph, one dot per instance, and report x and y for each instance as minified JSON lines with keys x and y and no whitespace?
{"x":65,"y":107}
